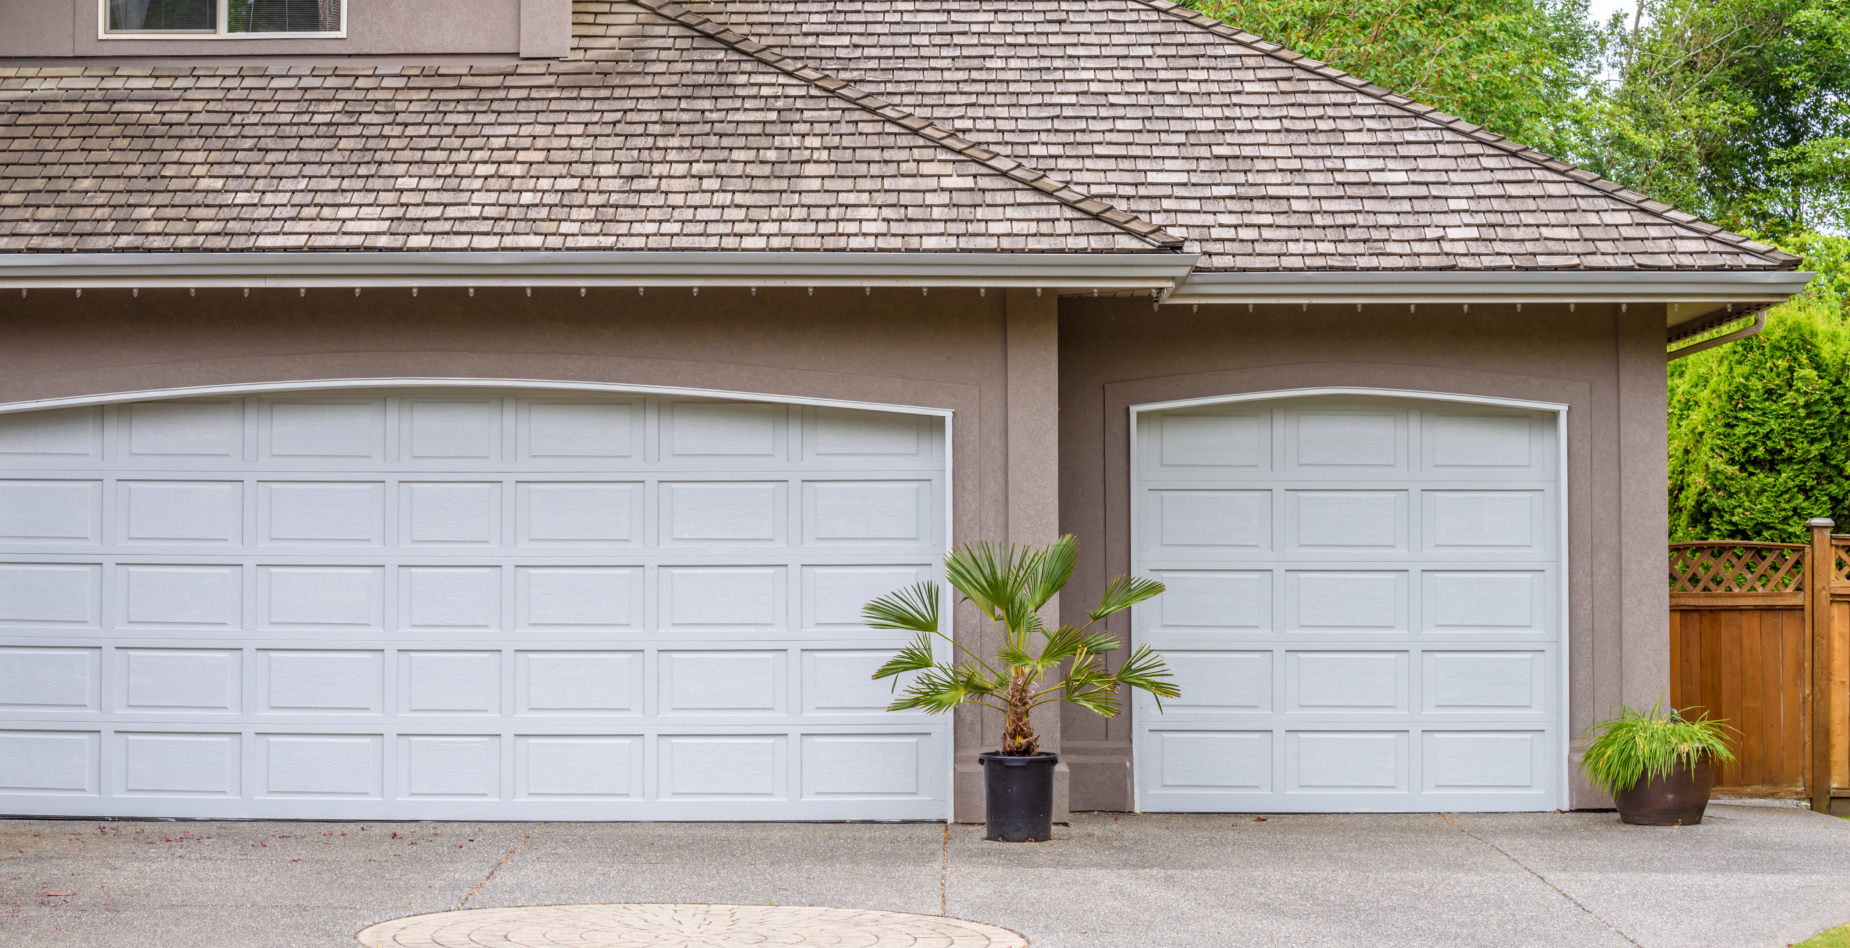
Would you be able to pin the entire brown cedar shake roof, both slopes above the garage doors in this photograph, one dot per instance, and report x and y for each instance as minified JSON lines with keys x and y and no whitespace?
{"x":820,"y":125}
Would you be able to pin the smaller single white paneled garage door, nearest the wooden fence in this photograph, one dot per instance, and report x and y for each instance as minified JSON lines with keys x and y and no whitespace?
{"x":1363,"y":606}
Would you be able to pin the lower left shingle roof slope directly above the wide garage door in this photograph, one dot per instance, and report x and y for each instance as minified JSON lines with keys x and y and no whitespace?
{"x":708,"y":151}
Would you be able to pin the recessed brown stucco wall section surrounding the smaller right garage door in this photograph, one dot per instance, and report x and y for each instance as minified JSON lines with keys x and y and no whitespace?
{"x":1605,"y":364}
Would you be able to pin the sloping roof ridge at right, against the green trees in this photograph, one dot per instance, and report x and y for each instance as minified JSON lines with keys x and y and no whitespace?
{"x":1614,"y":190}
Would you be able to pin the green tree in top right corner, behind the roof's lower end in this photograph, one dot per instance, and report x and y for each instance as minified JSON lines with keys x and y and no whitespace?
{"x":1733,"y":110}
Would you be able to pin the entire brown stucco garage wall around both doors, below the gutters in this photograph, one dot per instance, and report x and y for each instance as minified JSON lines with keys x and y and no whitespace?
{"x":987,"y":360}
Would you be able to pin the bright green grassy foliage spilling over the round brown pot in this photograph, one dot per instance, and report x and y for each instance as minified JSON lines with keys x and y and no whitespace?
{"x":1633,"y":747}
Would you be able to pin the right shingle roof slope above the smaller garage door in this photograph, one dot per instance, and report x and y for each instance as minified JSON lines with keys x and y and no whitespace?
{"x":1261,"y":158}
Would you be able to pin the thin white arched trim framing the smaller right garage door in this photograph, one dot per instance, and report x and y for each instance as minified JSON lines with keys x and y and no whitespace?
{"x":1564,"y":784}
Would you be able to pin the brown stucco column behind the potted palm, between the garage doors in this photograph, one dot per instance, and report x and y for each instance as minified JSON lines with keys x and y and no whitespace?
{"x":1033,"y":497}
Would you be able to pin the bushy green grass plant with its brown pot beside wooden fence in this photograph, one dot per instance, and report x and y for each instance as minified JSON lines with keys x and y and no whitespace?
{"x":1659,"y":769}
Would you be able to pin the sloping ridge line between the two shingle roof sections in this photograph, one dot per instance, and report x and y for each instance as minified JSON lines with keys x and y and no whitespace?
{"x":926,"y":129}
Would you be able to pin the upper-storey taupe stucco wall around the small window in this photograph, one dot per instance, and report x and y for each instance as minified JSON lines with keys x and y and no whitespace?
{"x":56,"y":29}
